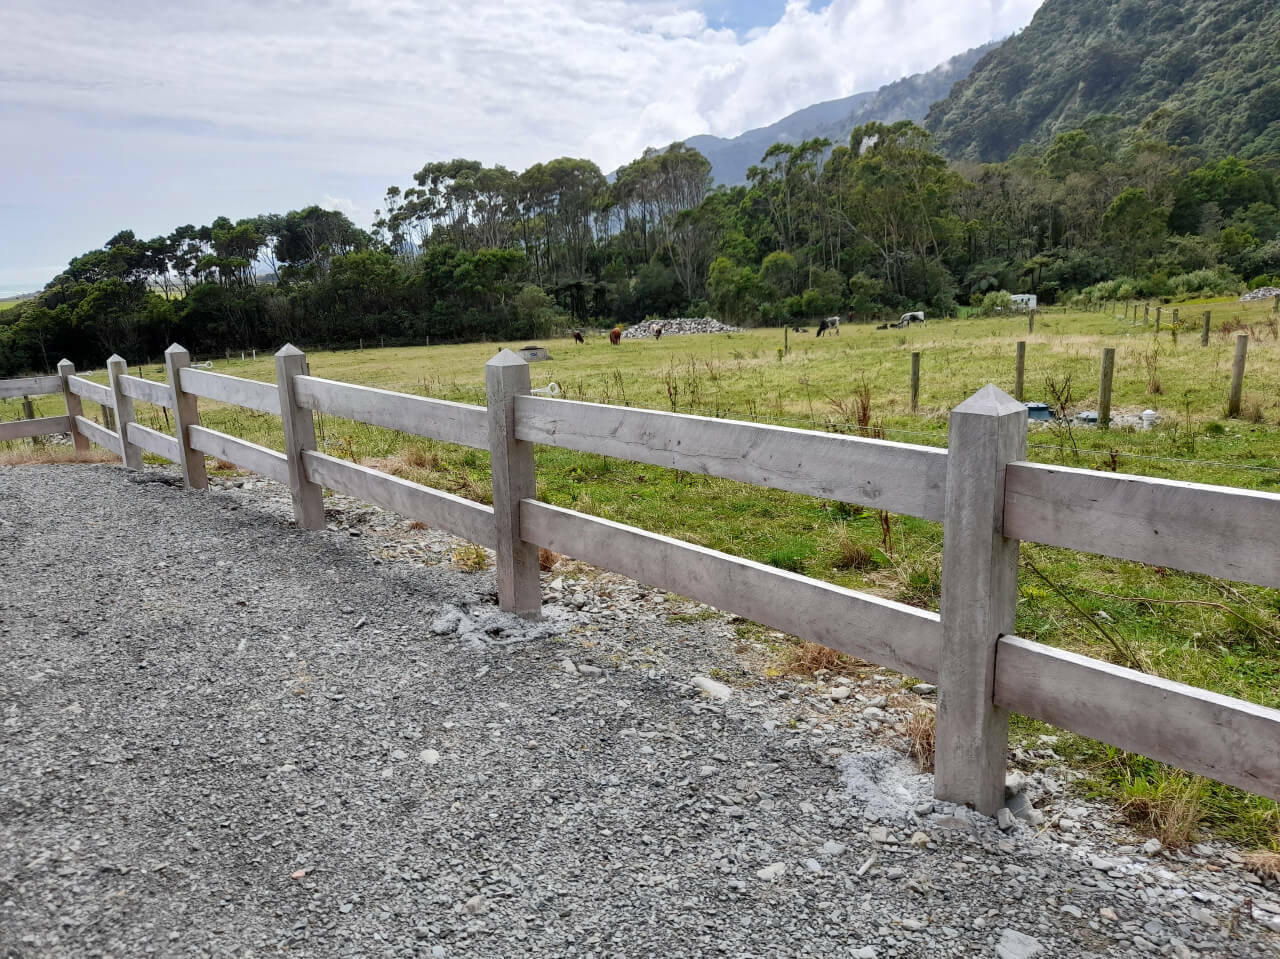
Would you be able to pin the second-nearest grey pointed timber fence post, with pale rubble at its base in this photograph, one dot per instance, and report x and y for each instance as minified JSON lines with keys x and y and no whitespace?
{"x":514,"y":479}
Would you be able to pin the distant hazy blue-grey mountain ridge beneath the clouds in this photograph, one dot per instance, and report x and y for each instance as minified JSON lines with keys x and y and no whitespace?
{"x":908,"y":99}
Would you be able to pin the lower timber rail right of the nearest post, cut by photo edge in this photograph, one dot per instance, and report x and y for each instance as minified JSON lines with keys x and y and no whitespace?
{"x":1227,"y":739}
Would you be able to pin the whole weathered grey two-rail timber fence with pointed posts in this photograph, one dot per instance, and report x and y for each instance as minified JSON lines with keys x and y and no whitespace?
{"x":981,"y":488}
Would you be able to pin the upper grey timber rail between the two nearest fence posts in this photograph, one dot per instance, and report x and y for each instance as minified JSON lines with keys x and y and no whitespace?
{"x":895,"y":477}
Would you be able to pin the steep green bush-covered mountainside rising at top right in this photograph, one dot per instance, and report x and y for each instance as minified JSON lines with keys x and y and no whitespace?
{"x":1197,"y":72}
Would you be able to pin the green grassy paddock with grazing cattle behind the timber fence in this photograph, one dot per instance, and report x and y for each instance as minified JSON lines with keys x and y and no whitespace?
{"x":1219,"y":636}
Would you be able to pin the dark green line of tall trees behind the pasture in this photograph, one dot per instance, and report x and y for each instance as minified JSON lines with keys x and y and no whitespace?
{"x":880,"y":223}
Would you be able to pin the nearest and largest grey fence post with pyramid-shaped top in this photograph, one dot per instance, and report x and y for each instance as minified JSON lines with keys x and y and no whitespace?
{"x":980,"y":592}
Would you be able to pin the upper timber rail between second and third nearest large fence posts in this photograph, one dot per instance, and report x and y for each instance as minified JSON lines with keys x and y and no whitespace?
{"x":436,"y":419}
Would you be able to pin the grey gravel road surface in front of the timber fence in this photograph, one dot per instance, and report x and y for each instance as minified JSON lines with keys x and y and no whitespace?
{"x":225,"y":737}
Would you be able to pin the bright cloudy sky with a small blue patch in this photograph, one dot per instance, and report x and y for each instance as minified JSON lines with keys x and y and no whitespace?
{"x":148,"y":115}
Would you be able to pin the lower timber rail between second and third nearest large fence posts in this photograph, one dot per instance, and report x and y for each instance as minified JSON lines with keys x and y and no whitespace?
{"x":463,"y":518}
